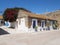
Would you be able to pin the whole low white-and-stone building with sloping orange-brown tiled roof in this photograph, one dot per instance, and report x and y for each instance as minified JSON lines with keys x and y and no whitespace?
{"x":27,"y":21}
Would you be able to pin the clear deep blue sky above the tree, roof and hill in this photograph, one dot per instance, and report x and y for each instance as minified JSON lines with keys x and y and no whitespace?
{"x":35,"y":6}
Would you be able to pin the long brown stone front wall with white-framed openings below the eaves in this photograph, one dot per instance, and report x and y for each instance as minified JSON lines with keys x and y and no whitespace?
{"x":46,"y":25}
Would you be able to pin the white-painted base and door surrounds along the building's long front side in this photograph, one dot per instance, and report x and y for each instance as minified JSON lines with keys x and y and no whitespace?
{"x":42,"y":27}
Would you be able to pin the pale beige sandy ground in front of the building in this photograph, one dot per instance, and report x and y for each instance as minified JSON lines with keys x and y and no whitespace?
{"x":37,"y":38}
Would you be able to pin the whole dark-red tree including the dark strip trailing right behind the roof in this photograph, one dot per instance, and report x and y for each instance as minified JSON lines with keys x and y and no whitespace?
{"x":11,"y":14}
